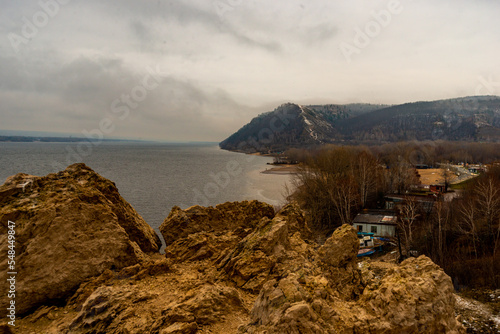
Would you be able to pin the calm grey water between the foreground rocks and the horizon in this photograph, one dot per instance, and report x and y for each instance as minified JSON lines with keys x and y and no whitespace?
{"x":155,"y":177}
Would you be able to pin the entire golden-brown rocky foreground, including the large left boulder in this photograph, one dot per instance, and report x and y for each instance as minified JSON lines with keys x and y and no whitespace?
{"x":88,"y":263}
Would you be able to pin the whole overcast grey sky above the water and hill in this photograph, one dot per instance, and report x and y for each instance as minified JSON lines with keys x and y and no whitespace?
{"x":198,"y":70}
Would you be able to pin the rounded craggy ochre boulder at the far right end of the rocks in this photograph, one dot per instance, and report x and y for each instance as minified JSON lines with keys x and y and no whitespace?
{"x":415,"y":297}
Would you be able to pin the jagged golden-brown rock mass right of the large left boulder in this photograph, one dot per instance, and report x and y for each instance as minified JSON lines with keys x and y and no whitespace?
{"x":240,"y":268}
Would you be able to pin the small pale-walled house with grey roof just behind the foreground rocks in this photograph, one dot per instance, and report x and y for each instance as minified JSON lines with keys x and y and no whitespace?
{"x":381,"y":225}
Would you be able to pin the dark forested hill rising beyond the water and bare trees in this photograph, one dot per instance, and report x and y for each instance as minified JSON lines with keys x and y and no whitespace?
{"x":291,"y":125}
